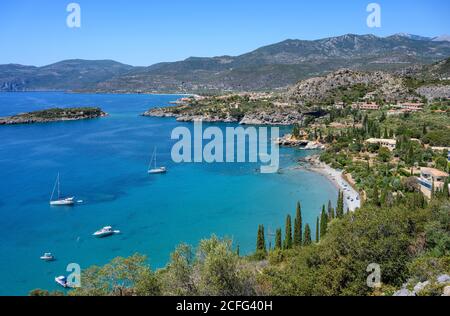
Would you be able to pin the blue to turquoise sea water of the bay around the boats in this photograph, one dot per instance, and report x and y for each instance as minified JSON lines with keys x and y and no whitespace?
{"x":104,"y":162}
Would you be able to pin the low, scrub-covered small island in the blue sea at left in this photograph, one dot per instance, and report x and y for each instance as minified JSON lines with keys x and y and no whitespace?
{"x":53,"y":115}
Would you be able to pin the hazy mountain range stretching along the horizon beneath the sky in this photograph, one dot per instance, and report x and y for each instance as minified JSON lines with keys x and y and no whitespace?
{"x":266,"y":68}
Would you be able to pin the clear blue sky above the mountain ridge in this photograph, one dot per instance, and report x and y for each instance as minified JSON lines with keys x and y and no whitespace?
{"x":143,"y":32}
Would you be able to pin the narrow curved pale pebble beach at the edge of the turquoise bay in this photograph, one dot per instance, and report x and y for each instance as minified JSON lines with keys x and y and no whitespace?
{"x":352,"y":199}
